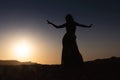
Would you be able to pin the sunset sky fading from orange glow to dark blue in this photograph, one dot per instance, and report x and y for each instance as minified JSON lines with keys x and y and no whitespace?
{"x":25,"y":20}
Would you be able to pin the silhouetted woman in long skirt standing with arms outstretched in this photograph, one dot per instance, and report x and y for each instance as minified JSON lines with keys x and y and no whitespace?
{"x":70,"y":53}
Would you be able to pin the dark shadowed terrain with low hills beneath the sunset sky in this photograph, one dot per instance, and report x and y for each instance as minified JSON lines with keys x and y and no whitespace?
{"x":100,"y":69}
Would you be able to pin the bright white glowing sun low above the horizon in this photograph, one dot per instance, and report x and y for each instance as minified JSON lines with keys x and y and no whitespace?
{"x":22,"y":50}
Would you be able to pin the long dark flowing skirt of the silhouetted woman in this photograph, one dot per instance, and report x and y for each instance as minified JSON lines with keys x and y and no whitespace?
{"x":70,"y":53}
